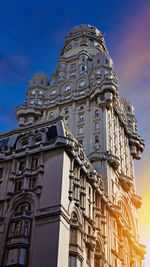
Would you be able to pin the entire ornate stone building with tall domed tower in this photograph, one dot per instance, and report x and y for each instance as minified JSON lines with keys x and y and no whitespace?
{"x":67,"y":184}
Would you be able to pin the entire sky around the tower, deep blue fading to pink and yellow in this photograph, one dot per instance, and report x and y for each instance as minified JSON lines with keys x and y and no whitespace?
{"x":31,"y":36}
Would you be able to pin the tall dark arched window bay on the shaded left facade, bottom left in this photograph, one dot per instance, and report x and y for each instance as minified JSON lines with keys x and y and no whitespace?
{"x":18,"y":236}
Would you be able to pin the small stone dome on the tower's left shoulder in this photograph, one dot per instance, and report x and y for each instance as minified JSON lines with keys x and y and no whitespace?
{"x":39,"y":78}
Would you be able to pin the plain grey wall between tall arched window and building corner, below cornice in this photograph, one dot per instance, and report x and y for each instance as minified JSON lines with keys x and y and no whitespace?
{"x":44,"y":248}
